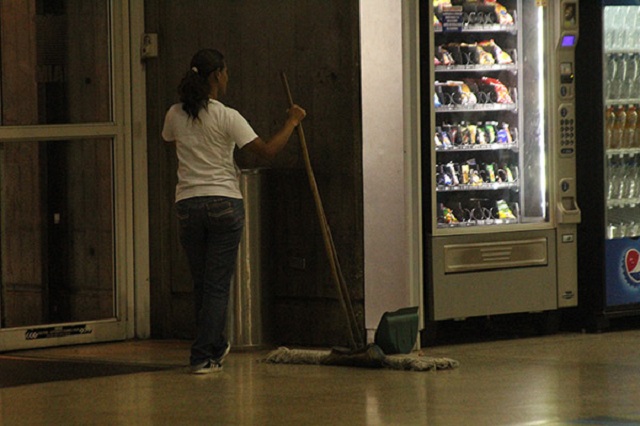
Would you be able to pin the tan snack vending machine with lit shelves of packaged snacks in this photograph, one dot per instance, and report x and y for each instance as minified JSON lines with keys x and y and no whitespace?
{"x":499,"y":156}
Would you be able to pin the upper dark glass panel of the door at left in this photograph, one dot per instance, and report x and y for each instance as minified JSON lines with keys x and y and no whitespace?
{"x":55,"y":62}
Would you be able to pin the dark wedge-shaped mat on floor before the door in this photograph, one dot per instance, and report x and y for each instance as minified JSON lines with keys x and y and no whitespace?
{"x":16,"y":371}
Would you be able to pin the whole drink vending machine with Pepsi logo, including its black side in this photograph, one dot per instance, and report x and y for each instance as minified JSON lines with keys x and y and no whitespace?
{"x":608,"y":100}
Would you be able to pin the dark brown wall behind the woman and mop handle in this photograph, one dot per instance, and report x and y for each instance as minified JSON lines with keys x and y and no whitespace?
{"x":316,"y":44}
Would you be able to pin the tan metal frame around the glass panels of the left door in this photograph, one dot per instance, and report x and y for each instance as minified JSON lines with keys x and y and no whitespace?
{"x":131,"y":249}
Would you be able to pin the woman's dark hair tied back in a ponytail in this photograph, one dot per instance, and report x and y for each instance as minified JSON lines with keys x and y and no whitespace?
{"x":194,"y":88}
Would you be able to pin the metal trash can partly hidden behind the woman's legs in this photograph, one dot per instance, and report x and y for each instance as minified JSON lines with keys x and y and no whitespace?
{"x":247,"y":324}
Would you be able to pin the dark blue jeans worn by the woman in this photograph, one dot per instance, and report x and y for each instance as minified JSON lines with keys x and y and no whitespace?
{"x":210,"y":233}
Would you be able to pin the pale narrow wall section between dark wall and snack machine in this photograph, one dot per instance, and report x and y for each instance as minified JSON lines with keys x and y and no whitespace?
{"x":390,"y":159}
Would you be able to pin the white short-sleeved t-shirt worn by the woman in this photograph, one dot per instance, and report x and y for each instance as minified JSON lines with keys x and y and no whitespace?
{"x":206,"y":166}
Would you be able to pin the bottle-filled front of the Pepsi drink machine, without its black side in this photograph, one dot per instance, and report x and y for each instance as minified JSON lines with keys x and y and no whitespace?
{"x":621,"y":101}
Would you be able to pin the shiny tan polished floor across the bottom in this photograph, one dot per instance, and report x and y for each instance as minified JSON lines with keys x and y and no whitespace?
{"x":562,"y":379}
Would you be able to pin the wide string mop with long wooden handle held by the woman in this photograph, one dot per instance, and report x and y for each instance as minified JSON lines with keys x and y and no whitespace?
{"x":358,"y":354}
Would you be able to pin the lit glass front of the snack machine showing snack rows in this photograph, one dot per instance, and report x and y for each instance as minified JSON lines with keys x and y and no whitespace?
{"x":490,"y":167}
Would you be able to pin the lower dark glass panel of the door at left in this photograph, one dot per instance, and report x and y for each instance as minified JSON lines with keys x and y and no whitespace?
{"x":56,"y":232}
